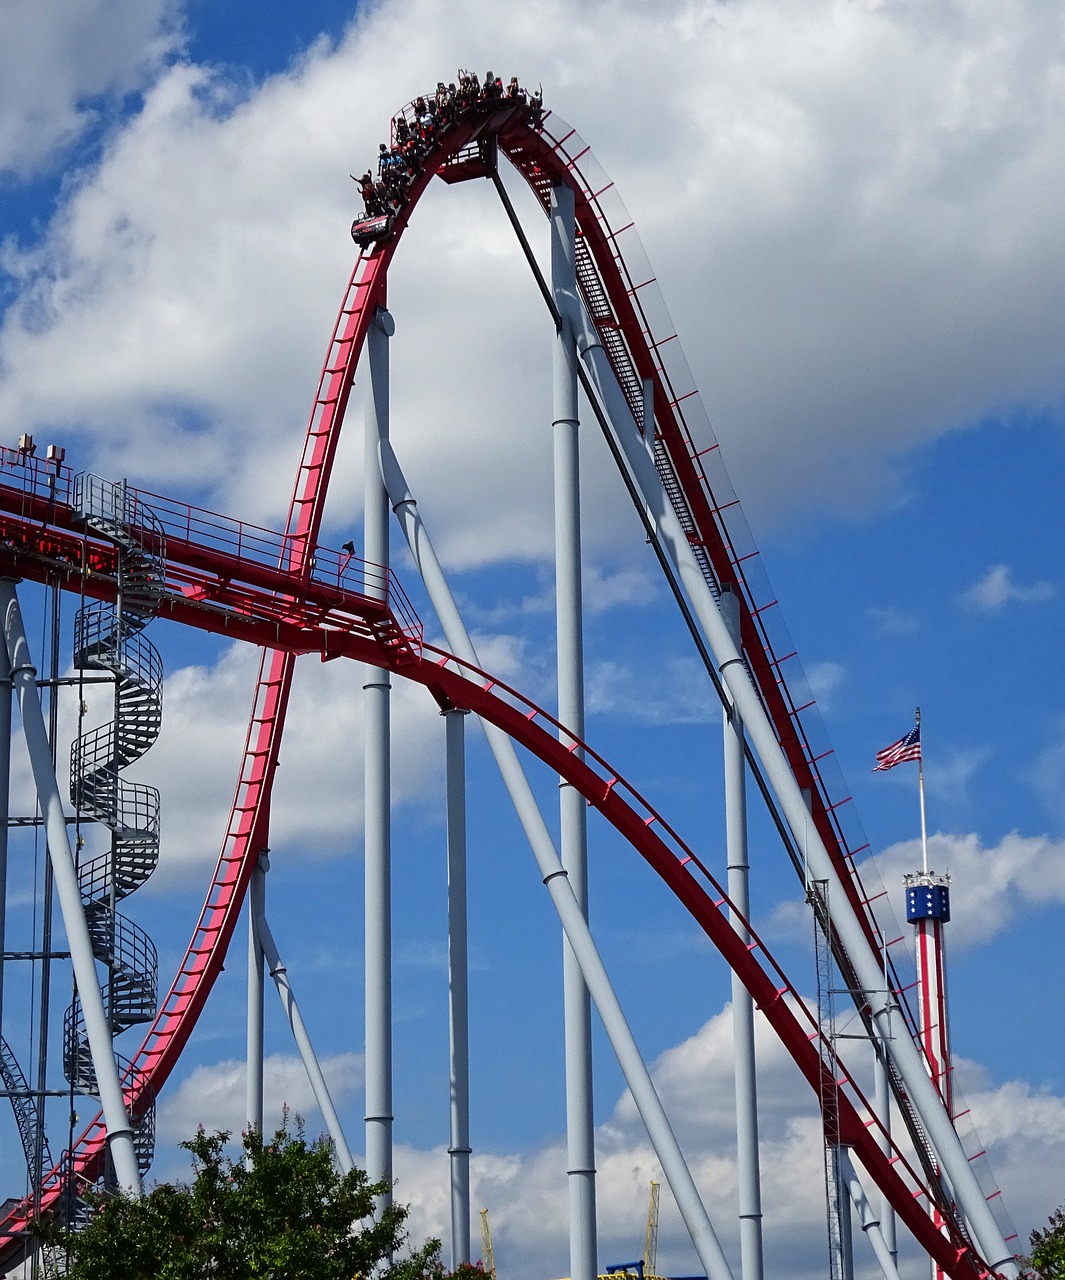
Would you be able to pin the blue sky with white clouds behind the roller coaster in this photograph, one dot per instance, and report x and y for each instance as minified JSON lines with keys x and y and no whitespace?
{"x":853,"y":212}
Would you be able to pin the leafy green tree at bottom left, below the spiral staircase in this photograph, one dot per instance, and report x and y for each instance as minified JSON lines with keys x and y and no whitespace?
{"x":281,"y":1213}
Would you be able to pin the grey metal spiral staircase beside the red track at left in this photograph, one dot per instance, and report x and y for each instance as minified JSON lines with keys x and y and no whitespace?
{"x":108,"y":641}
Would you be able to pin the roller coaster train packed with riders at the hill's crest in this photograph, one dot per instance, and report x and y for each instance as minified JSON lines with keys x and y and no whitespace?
{"x":417,"y":130}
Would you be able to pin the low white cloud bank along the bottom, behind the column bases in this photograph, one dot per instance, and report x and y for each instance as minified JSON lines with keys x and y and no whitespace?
{"x":527,"y":1194}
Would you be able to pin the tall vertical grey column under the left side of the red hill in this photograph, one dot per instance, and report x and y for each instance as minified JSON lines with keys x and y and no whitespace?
{"x":378,"y":788}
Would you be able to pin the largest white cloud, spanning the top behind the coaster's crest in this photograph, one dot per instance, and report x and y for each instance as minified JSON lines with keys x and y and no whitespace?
{"x":845,"y":205}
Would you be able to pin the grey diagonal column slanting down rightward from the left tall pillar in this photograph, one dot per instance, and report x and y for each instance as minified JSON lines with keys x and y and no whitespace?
{"x":564,"y":899}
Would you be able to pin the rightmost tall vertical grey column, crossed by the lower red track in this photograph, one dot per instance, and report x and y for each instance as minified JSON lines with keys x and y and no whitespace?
{"x":748,"y":1169}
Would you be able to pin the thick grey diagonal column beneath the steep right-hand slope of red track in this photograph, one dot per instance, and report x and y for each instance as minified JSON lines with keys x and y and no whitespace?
{"x":881,"y":1003}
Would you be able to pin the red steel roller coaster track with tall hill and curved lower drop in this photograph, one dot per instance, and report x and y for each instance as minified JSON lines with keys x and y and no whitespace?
{"x":289,"y":596}
